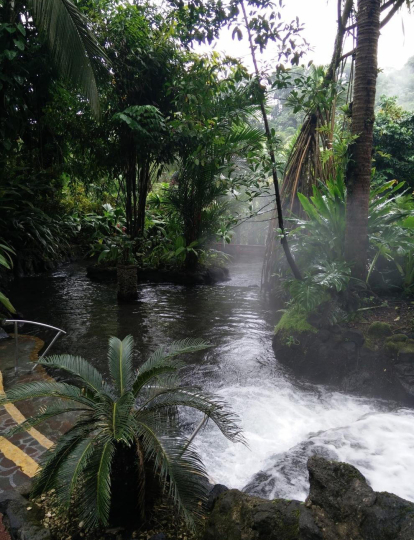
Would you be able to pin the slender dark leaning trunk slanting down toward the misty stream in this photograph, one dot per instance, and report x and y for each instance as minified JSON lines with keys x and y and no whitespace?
{"x":289,"y":257}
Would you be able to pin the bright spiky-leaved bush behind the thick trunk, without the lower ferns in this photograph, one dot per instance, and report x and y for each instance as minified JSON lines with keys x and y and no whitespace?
{"x":319,"y":237}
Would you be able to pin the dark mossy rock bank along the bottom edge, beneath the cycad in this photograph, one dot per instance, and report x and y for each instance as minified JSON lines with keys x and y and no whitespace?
{"x":340,"y":506}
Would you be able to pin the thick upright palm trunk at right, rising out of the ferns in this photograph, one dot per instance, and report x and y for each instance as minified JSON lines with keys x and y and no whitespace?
{"x":360,"y":163}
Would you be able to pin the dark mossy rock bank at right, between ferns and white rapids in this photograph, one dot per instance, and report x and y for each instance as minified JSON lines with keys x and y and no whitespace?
{"x":372,"y":358}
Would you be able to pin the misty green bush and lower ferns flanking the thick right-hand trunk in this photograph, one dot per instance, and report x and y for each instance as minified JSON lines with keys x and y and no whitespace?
{"x":318,"y":241}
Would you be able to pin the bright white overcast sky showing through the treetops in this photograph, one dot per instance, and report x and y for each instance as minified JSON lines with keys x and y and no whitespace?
{"x":319,"y":16}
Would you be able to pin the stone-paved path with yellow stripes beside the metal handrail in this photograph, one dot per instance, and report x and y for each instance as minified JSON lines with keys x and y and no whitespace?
{"x":19,"y":455}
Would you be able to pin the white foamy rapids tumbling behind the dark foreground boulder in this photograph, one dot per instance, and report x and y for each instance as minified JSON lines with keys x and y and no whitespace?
{"x":277,"y":417}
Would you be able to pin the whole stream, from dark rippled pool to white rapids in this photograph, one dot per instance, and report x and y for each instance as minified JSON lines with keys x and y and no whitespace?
{"x":283,"y":421}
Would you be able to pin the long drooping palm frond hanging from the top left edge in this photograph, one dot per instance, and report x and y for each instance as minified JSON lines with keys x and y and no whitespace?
{"x":74,"y":48}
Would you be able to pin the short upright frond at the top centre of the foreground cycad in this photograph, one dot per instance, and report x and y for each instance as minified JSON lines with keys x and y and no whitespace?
{"x":120,"y":362}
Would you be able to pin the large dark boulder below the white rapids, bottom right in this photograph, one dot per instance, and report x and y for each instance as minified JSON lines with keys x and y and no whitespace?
{"x":340,"y":506}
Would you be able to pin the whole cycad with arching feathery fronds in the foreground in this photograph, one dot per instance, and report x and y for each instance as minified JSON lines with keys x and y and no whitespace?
{"x":126,"y":435}
